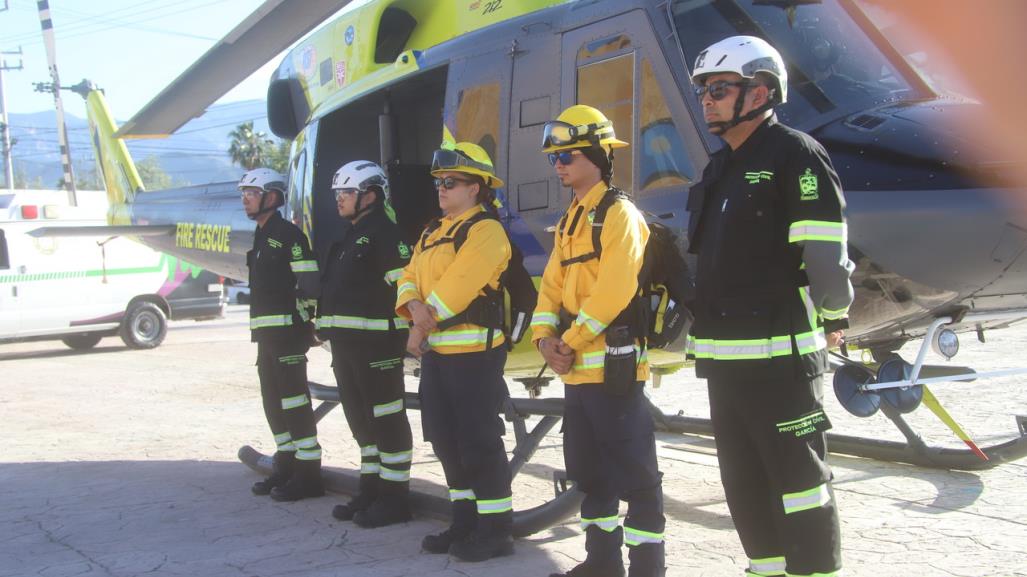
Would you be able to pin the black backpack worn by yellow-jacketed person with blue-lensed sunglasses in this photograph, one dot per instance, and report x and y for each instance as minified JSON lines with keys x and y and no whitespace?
{"x":659,"y":314}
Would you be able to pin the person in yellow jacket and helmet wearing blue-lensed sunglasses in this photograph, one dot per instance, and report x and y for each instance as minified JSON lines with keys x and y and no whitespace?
{"x":610,"y":446}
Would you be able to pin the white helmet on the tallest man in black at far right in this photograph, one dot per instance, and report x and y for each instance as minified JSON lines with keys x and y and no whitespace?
{"x":745,"y":56}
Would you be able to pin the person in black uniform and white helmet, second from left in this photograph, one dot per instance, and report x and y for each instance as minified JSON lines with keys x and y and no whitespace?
{"x":357,"y":315}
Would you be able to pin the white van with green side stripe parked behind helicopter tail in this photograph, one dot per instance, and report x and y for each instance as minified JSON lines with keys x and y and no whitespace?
{"x":81,"y":289}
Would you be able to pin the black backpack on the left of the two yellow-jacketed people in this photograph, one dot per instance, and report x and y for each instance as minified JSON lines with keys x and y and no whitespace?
{"x":489,"y":311}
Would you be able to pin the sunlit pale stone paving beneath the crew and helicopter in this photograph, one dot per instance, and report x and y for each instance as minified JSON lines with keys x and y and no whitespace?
{"x":123,"y":464}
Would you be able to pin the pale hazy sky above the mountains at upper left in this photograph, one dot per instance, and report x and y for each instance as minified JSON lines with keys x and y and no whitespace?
{"x":132,"y":49}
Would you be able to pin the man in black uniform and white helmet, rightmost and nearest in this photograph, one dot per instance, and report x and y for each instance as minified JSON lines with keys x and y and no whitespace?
{"x":773,"y":294}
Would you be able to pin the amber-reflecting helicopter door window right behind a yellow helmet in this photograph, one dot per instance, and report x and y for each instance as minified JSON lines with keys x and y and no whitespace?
{"x":610,"y":86}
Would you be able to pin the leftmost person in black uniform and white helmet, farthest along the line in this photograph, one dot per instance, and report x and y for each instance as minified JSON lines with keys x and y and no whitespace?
{"x":284,"y":286}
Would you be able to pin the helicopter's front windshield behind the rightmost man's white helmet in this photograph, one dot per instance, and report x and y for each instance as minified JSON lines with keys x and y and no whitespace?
{"x":833,"y":65}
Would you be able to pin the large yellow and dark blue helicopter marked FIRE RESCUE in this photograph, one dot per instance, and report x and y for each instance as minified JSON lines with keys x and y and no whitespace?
{"x":938,"y":250}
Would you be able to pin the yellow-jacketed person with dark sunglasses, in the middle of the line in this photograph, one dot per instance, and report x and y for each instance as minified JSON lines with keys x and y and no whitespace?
{"x":451,"y":292}
